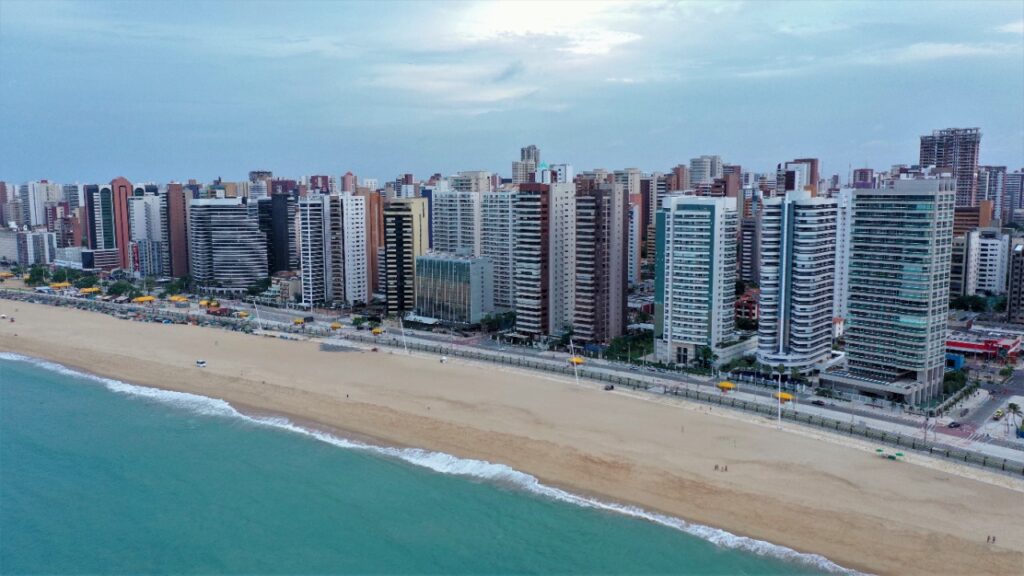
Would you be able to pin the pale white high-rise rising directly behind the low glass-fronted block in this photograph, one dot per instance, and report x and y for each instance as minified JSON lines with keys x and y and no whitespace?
{"x":455,"y":222}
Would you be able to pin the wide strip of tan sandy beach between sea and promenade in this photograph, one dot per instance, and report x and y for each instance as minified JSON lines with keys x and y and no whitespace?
{"x":831,"y":497}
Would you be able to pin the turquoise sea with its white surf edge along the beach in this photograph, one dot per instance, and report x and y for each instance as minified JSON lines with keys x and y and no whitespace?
{"x":101,"y":477}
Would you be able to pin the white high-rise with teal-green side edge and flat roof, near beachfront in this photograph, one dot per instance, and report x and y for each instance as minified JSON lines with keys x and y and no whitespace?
{"x":695,"y":286}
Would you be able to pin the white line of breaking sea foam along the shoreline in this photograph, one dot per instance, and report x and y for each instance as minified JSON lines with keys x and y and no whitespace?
{"x":446,"y":464}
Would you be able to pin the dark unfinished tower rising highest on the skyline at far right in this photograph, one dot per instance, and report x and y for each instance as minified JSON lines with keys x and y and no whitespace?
{"x":957,"y":149}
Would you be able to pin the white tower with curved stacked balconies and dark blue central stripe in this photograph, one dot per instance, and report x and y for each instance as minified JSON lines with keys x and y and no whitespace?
{"x":798,"y":260}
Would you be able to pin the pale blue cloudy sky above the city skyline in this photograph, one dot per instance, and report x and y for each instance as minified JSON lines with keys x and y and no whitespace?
{"x":187,"y":90}
